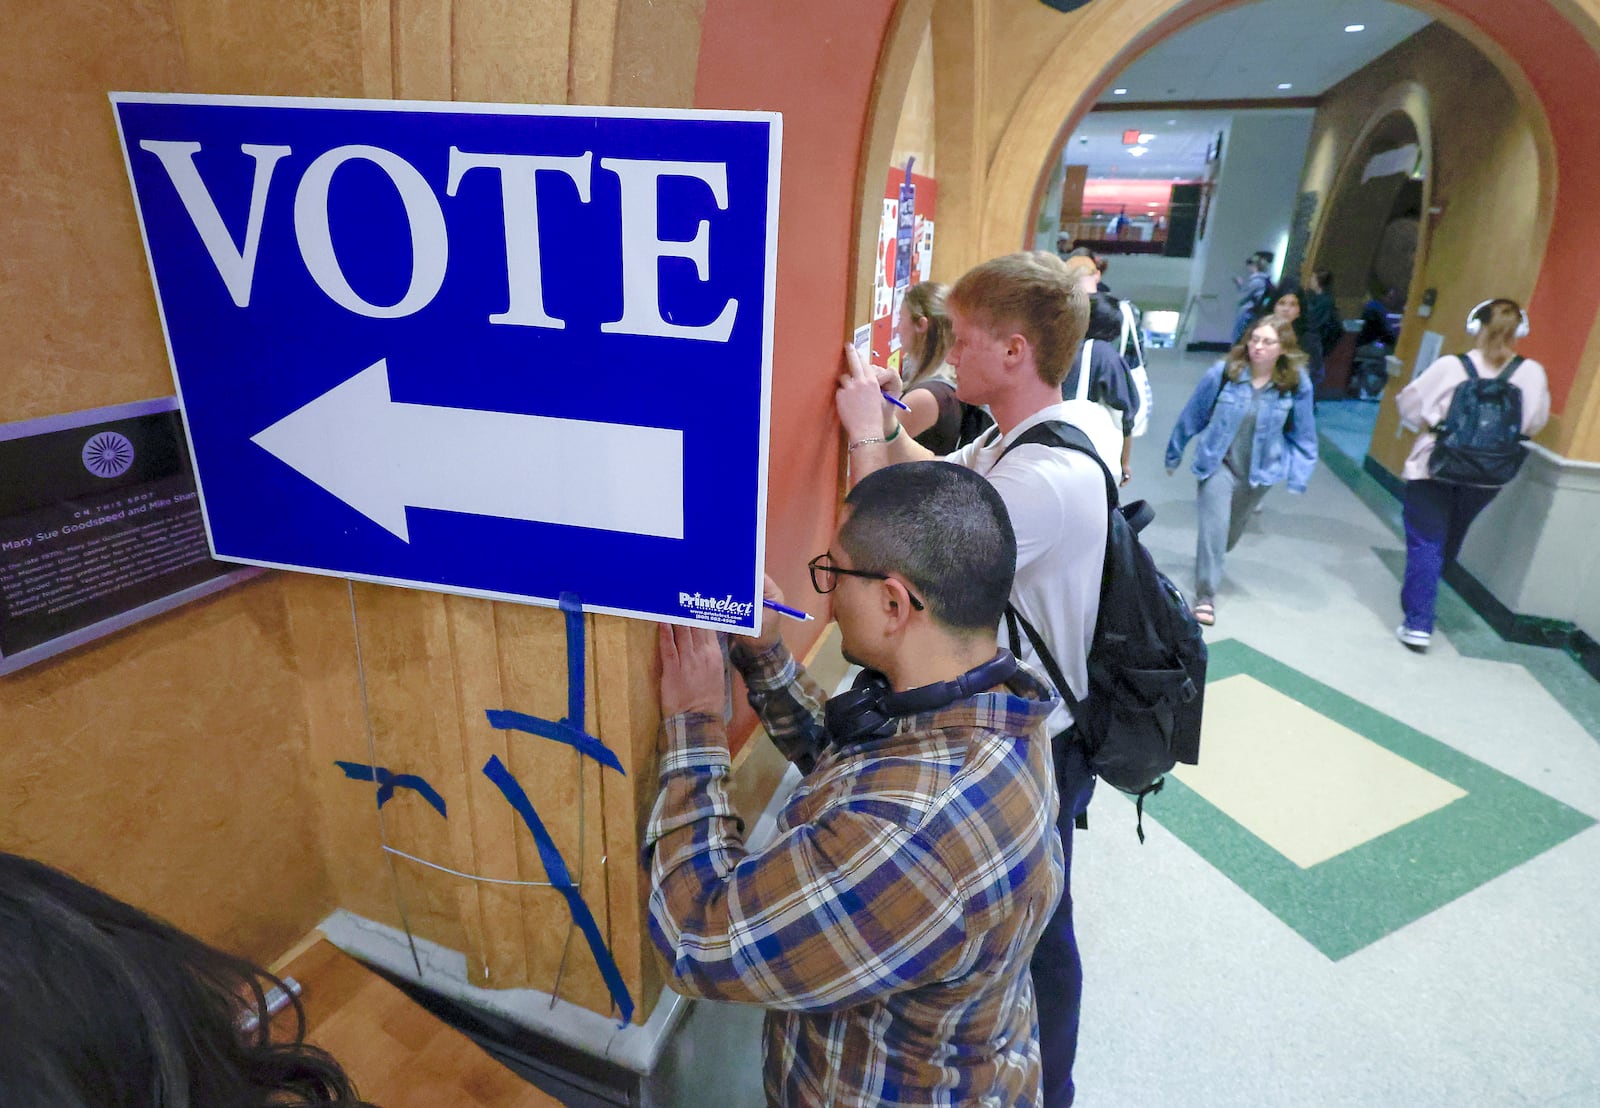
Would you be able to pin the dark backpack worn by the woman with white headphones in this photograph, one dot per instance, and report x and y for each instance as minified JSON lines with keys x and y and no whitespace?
{"x":1481,"y":438}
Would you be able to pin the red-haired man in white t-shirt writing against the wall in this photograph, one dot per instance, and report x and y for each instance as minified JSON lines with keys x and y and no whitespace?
{"x":1018,"y":324}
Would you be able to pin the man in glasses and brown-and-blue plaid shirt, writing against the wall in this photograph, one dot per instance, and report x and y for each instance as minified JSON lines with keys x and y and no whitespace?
{"x":890,"y":925}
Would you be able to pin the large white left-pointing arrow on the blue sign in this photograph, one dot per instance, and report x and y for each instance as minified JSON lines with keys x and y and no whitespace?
{"x":382,"y":457}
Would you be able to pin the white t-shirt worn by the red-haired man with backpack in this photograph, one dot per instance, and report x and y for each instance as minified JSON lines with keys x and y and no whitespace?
{"x":1057,"y":500}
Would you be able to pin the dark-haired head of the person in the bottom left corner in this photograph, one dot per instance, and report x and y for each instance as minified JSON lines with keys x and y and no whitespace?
{"x":103,"y":1006}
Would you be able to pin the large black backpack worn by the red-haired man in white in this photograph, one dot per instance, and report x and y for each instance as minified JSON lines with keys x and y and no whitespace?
{"x":1148,"y":657}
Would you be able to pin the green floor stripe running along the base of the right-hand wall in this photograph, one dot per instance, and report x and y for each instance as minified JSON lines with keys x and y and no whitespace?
{"x":1470,"y":633}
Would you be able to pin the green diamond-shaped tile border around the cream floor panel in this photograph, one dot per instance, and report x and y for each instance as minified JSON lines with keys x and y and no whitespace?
{"x":1372,"y":891}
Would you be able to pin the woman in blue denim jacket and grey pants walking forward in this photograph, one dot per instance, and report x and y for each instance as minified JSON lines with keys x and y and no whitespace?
{"x":1257,"y":428}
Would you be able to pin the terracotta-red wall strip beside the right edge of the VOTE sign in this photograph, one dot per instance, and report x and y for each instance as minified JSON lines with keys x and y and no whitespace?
{"x":815,"y":63}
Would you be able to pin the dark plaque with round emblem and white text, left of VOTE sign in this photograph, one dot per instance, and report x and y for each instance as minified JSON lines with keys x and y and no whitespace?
{"x":100,"y":528}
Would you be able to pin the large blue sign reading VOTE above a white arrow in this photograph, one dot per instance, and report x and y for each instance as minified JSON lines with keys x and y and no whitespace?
{"x":503,"y":351}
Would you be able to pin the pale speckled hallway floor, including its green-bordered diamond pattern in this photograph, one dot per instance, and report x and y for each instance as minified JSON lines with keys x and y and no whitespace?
{"x":1378,"y":886}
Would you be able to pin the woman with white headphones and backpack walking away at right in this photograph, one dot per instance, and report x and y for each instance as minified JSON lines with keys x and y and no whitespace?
{"x":1447,"y":486}
